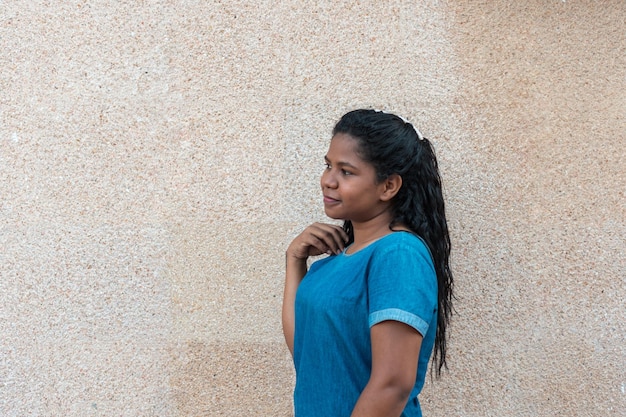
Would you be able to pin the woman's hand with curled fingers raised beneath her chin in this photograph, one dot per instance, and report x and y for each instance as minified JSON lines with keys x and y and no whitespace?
{"x":317,"y":239}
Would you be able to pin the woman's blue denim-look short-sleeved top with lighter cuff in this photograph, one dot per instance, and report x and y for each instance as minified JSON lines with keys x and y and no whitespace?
{"x":338,"y":301}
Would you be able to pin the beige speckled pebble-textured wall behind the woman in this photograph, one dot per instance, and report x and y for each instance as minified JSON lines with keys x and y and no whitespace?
{"x":156,"y":157}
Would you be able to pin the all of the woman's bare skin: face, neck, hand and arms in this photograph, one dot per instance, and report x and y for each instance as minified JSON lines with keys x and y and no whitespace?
{"x":351,"y":192}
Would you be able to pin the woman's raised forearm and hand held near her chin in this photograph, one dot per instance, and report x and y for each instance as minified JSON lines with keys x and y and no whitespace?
{"x":315,"y":240}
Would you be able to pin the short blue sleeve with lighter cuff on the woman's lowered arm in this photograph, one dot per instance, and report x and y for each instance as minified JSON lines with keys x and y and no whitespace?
{"x":402,"y":284}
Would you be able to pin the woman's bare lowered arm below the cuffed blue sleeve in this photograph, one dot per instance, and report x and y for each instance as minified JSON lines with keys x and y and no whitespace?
{"x":395,"y":353}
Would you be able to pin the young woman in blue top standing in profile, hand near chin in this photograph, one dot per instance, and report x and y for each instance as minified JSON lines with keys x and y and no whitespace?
{"x":362,"y":323}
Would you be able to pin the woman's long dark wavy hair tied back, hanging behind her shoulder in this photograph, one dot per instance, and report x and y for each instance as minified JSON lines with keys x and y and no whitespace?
{"x":394,"y":146}
